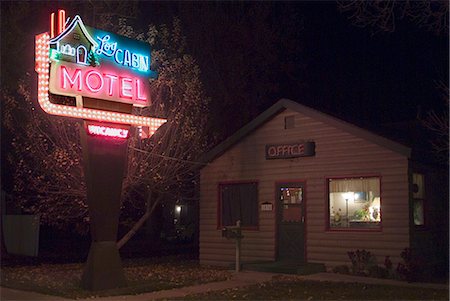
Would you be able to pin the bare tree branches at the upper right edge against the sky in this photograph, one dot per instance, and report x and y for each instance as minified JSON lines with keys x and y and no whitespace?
{"x":430,"y":15}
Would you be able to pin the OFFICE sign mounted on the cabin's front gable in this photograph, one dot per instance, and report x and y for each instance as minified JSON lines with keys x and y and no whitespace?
{"x":290,"y":150}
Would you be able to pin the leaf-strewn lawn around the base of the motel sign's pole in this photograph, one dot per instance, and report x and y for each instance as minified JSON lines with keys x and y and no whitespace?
{"x":143,"y":275}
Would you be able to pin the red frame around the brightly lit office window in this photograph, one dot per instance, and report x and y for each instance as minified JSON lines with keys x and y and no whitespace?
{"x":328,"y":228}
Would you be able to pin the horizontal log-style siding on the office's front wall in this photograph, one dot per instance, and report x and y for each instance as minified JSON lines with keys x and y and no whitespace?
{"x":338,"y":154}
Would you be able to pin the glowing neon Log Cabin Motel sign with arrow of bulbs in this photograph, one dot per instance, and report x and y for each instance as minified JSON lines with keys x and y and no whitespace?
{"x":79,"y":61}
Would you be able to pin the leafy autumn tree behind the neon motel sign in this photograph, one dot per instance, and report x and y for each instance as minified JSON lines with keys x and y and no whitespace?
{"x":46,"y":160}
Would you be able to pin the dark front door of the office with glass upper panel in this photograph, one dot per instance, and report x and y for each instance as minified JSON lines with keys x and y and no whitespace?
{"x":291,"y":219}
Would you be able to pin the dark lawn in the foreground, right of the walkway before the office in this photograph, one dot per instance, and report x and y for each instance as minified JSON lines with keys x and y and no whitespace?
{"x":293,"y":288}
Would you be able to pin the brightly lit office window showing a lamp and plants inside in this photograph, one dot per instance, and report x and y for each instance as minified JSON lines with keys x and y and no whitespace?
{"x":354,"y":203}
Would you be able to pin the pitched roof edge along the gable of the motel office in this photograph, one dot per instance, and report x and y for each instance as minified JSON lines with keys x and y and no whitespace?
{"x":284,"y":104}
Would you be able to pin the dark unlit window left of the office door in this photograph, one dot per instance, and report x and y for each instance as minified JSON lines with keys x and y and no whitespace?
{"x":239,"y":202}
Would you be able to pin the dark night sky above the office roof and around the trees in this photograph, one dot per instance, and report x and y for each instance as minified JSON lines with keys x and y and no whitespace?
{"x":305,"y":51}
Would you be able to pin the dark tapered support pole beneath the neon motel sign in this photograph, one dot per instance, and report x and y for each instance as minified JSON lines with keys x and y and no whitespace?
{"x":104,"y":167}
